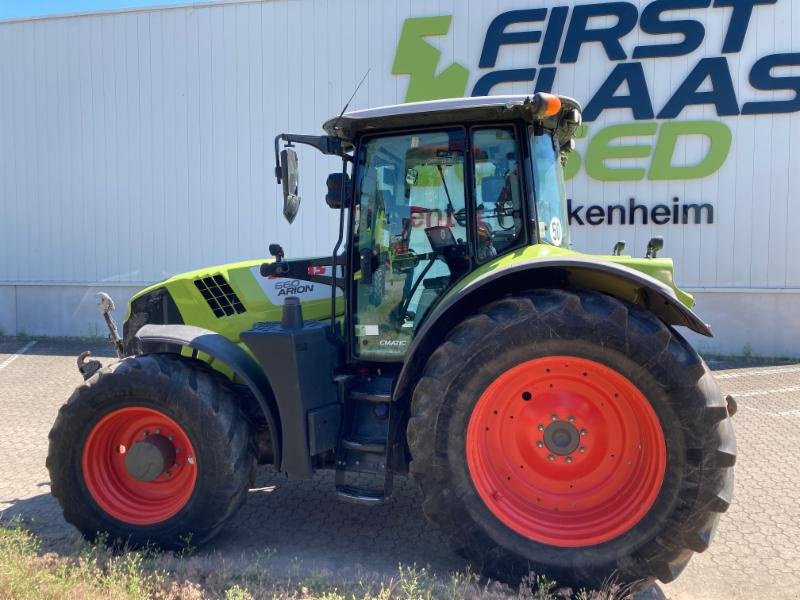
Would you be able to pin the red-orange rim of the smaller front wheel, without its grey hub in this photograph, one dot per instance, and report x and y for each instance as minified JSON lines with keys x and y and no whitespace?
{"x":109,"y":481}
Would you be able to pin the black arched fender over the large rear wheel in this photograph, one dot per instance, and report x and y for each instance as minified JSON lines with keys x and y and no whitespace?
{"x":614,"y":279}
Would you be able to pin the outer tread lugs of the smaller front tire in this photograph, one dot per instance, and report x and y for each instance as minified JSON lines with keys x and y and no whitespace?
{"x":169,"y":376}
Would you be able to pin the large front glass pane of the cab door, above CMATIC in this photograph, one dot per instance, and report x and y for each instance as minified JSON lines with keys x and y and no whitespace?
{"x":411,"y":235}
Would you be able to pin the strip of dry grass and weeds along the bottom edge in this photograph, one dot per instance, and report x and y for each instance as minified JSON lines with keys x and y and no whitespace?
{"x":95,"y":571}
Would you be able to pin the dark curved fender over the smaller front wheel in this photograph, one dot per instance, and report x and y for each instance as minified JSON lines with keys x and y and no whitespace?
{"x":232,"y":356}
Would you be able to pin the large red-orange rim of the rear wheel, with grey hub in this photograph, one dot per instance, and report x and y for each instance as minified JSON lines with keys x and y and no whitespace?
{"x":566,"y":451}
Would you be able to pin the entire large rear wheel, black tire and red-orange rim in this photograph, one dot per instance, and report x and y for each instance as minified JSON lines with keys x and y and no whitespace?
{"x":571,"y":433}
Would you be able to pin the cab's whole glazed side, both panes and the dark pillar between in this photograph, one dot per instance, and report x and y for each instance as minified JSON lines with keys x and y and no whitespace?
{"x":429,"y":207}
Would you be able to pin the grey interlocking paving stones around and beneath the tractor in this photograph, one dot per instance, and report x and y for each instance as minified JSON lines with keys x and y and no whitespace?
{"x":303,"y":526}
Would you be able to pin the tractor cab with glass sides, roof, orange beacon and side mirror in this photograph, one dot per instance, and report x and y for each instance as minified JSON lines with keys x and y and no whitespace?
{"x":435,"y":190}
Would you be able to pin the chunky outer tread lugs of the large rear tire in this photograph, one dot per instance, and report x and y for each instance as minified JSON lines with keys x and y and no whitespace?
{"x":706,"y":491}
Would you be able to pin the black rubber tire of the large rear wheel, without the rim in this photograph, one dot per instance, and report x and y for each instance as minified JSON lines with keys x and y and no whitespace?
{"x":700,"y":443}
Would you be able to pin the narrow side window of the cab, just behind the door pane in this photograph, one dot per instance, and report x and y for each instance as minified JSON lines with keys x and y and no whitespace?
{"x":498,"y":191}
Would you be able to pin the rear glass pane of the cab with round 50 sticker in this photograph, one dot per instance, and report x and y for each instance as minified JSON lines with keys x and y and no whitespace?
{"x":548,"y":183}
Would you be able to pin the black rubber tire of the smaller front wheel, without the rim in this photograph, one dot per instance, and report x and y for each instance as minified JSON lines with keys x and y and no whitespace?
{"x":194,"y":396}
